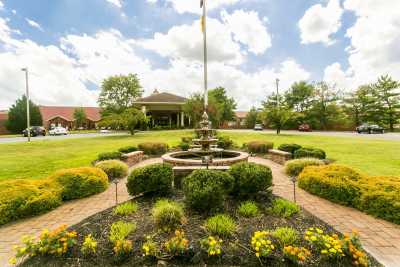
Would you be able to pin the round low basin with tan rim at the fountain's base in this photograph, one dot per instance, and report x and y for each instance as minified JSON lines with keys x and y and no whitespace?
{"x":221,"y":158}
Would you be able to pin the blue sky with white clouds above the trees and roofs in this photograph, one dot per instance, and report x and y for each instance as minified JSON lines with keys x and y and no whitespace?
{"x":70,"y":46}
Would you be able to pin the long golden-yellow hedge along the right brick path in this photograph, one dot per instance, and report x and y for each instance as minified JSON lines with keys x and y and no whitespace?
{"x":378,"y":196}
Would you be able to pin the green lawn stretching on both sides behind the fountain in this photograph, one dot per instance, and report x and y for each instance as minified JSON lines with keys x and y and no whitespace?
{"x":40,"y":158}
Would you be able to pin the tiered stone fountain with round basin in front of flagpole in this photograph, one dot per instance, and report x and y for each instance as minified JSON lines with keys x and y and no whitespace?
{"x":205,"y":152}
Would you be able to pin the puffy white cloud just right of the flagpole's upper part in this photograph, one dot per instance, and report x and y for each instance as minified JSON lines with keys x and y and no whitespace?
{"x":248,"y":29}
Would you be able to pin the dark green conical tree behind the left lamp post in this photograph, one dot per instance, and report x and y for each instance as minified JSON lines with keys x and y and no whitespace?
{"x":17,"y":117}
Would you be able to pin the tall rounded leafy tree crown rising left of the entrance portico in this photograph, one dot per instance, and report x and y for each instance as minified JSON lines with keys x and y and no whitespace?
{"x":118,"y":93}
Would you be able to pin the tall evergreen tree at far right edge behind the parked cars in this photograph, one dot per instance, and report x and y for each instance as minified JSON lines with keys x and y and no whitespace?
{"x":386,"y":91}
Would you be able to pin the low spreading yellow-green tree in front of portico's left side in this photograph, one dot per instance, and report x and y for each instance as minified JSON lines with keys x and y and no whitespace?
{"x":130,"y":119}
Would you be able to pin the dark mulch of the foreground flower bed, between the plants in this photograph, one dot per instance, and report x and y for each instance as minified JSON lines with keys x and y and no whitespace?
{"x":236,"y":249}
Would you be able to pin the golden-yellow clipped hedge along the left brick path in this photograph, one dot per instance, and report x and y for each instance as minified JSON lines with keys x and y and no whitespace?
{"x":24,"y":198}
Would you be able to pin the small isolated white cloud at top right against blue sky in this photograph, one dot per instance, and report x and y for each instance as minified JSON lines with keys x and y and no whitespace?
{"x":320,"y":22}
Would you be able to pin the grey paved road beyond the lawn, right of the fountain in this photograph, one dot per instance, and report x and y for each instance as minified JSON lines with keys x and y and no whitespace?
{"x":386,"y":136}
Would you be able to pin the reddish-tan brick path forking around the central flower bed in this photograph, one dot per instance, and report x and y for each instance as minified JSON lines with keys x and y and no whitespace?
{"x":380,"y":238}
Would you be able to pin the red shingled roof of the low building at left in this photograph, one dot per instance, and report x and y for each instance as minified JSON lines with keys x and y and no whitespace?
{"x":67,"y":113}
